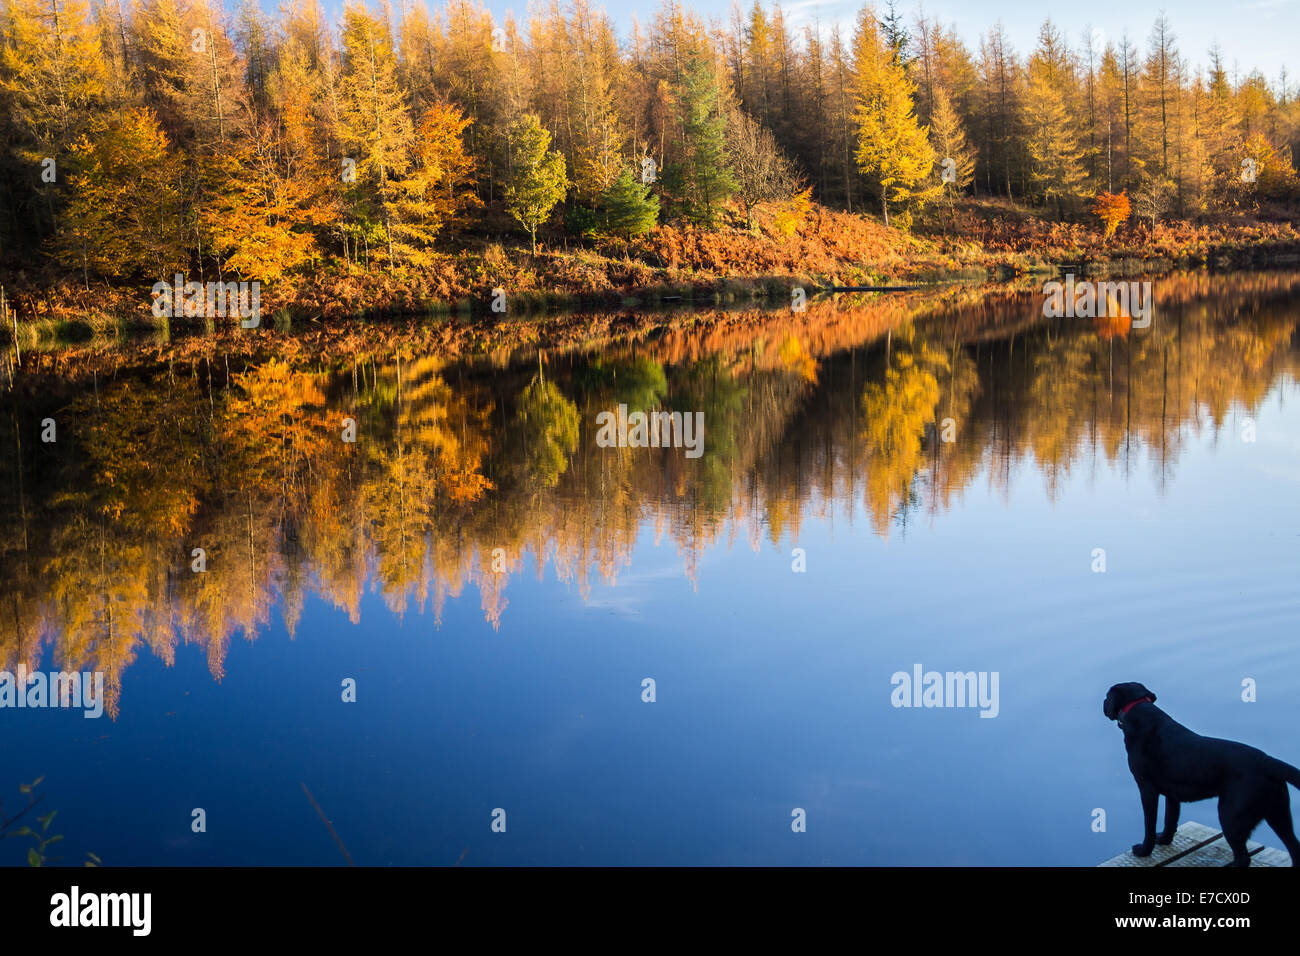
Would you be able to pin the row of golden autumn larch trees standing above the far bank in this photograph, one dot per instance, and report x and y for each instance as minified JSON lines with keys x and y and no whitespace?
{"x":149,"y":137}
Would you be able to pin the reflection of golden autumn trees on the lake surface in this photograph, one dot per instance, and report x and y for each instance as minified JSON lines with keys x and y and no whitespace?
{"x":96,"y":568}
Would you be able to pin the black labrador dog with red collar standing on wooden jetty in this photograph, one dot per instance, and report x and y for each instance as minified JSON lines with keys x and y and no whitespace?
{"x":1165,"y":758}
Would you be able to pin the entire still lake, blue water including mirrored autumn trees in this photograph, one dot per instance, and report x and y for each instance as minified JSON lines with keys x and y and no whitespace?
{"x":419,"y":599}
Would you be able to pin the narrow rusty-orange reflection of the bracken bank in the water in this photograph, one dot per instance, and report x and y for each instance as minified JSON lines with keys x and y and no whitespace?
{"x":829,"y":323}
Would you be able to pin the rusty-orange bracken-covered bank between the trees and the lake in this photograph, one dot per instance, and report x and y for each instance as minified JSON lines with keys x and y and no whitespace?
{"x":670,"y":269}
